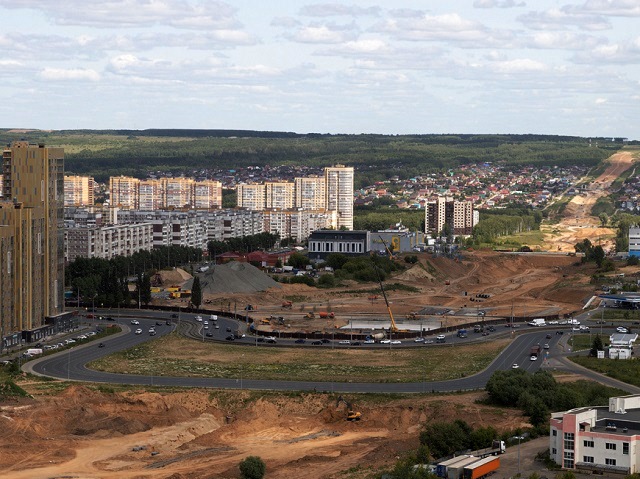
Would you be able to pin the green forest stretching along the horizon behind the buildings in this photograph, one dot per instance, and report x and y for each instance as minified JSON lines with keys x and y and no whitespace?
{"x":102,"y":154}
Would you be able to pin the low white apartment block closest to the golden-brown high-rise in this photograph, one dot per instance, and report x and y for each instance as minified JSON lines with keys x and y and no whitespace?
{"x":107,"y":242}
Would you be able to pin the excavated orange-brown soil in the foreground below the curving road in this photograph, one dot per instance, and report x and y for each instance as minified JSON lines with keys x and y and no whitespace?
{"x":196,"y":434}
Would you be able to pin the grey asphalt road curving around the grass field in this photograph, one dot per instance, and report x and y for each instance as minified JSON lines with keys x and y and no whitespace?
{"x":71,"y":364}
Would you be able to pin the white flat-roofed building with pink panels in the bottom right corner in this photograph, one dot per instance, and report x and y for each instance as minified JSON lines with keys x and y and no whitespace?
{"x":599,"y":438}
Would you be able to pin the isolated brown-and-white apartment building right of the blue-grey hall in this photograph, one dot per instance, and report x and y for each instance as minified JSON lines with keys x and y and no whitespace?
{"x":444,"y":210}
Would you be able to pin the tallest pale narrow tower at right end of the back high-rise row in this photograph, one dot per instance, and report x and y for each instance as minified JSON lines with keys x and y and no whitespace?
{"x":339,"y":190}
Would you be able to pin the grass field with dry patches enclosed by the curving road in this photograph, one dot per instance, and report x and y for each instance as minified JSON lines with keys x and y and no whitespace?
{"x":176,"y":356}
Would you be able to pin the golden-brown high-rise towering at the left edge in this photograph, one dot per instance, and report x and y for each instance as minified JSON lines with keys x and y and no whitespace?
{"x":31,"y":237}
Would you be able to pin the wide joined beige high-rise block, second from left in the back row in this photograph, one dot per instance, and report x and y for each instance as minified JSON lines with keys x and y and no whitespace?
{"x":129,"y":193}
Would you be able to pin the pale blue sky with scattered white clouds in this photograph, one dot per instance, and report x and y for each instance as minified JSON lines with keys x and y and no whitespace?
{"x":568,"y":67}
